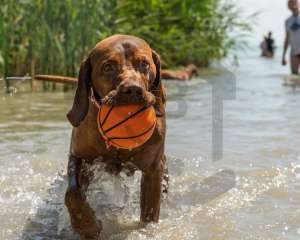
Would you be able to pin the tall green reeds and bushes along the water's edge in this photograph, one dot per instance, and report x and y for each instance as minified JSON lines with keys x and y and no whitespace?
{"x":53,"y":36}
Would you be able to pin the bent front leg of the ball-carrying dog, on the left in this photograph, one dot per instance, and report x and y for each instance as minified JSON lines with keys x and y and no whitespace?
{"x":82,"y":216}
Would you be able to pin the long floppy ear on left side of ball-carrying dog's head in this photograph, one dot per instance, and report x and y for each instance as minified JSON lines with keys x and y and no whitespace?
{"x":81,"y":100}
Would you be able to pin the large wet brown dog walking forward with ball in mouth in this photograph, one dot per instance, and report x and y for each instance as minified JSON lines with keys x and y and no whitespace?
{"x":119,"y":70}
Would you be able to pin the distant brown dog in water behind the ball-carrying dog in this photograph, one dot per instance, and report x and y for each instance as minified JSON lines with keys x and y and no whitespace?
{"x":183,"y":75}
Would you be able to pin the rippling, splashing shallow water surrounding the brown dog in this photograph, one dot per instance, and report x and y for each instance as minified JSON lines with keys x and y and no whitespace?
{"x":252,"y":193}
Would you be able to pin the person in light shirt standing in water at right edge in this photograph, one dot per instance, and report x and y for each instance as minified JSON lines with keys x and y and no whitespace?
{"x":292,"y":38}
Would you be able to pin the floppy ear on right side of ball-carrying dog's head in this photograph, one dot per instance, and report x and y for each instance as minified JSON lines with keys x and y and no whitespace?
{"x":157,"y":88}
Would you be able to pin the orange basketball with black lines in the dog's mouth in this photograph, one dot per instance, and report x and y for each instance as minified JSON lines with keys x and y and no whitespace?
{"x":127,"y":126}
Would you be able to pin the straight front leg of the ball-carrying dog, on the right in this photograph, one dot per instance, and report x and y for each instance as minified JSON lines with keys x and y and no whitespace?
{"x":151,"y":193}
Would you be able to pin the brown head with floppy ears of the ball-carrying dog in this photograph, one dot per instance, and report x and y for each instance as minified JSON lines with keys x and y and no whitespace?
{"x":121,"y":70}
